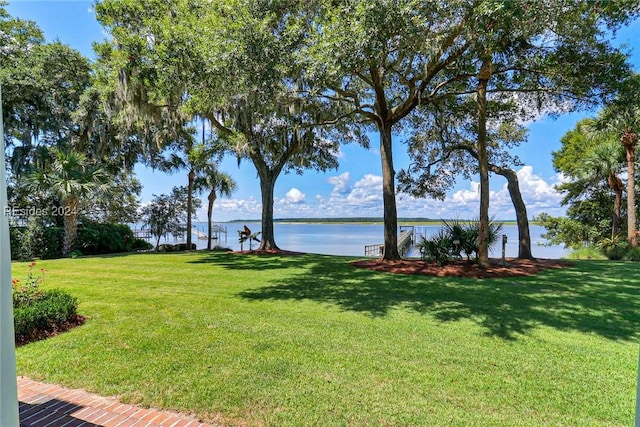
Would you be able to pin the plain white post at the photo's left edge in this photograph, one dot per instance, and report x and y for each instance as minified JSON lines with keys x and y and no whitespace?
{"x":8,"y":380}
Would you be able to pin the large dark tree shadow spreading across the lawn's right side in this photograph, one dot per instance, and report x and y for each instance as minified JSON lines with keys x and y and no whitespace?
{"x":592,"y":297}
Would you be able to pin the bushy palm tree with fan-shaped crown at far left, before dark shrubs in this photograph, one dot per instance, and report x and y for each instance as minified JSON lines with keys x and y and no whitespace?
{"x":71,"y":178}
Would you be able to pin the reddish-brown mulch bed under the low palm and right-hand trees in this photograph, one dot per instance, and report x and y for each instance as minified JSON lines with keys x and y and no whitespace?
{"x":463,"y":268}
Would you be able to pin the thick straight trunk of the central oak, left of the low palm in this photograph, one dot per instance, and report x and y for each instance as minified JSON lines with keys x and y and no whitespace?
{"x":389,"y":196}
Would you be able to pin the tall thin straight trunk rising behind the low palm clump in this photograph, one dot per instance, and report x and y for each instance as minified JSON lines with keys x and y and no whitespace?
{"x":483,"y":234}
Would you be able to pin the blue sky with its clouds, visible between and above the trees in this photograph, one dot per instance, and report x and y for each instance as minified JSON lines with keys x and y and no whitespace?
{"x":355,"y":188}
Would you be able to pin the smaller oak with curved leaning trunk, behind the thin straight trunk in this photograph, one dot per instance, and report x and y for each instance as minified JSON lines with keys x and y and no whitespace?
{"x":444,"y":145}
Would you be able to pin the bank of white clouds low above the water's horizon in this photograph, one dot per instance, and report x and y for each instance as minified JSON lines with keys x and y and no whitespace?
{"x":364,"y":198}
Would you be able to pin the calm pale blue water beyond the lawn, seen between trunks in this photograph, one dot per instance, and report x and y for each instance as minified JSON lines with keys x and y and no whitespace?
{"x":350,"y":239}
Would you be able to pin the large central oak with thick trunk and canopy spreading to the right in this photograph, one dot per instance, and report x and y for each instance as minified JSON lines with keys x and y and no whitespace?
{"x":385,"y":59}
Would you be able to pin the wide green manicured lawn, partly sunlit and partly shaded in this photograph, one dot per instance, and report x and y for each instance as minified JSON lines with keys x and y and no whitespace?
{"x":310,"y":340}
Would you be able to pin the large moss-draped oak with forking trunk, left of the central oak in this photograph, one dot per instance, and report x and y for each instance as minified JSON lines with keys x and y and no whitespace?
{"x":233,"y":63}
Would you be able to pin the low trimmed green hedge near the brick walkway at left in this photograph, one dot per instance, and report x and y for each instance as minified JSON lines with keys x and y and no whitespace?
{"x":43,"y":314}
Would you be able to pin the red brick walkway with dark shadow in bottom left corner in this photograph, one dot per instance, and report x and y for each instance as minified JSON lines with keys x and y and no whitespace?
{"x":46,"y":405}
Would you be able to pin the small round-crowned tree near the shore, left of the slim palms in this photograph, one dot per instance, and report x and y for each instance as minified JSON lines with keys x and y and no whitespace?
{"x":167,"y":213}
